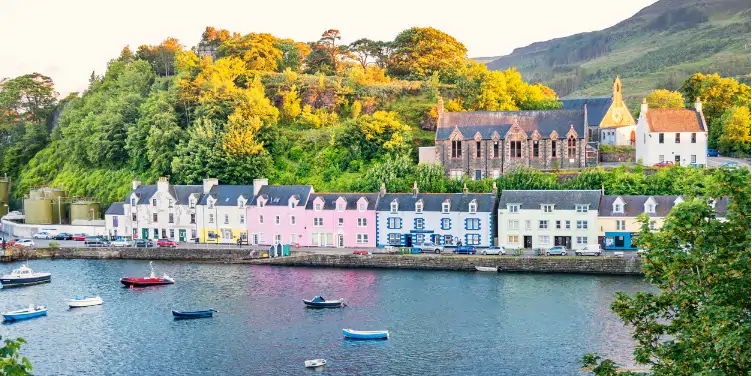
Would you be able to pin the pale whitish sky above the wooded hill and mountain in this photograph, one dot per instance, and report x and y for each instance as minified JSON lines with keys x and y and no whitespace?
{"x":67,"y":40}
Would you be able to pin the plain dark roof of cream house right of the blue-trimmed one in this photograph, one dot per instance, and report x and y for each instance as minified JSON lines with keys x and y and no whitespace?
{"x":561,"y":199}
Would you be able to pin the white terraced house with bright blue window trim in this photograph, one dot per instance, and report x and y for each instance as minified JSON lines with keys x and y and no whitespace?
{"x":405,"y":219}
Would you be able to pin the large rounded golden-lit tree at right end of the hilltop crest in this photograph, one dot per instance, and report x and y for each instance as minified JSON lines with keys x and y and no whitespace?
{"x":419,"y":52}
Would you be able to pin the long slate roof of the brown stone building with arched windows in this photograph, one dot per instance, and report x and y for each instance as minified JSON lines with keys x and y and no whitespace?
{"x":488,"y":122}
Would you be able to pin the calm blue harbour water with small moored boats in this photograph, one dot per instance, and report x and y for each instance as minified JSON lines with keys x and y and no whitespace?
{"x":442,"y":323}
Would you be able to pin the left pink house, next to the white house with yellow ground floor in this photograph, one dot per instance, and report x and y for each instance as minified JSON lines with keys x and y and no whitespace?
{"x":277,"y":215}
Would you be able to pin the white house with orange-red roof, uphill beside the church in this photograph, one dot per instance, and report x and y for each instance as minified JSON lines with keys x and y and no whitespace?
{"x":676,"y":135}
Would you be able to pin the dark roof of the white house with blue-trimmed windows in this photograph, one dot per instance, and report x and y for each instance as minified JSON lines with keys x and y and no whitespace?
{"x":433,"y":201}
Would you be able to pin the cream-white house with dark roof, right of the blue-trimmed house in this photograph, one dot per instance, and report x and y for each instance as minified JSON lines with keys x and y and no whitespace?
{"x":543,"y":219}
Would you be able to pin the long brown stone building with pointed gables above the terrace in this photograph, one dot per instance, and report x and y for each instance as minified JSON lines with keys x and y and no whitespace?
{"x":486,"y":144}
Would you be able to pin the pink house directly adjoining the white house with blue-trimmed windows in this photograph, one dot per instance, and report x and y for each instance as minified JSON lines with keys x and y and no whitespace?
{"x":341,"y":220}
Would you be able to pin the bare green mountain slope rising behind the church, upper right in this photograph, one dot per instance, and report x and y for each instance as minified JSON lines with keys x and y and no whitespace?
{"x":658,"y":47}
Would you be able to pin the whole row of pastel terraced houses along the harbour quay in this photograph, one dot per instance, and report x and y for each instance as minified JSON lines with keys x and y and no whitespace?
{"x":263,"y":214}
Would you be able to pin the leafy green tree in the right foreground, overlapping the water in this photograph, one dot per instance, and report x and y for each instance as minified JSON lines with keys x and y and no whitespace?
{"x":698,"y":320}
